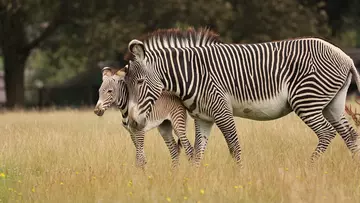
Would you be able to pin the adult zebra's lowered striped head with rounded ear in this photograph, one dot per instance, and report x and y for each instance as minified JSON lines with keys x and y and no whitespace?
{"x":143,"y":83}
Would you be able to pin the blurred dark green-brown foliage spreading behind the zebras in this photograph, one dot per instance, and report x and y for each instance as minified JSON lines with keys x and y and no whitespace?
{"x":100,"y":30}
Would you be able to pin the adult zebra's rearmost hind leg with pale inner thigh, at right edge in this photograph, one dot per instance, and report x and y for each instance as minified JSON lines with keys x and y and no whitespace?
{"x":334,"y":113}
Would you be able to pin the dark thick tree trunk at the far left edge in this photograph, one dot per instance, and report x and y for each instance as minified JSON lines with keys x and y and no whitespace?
{"x":13,"y":42}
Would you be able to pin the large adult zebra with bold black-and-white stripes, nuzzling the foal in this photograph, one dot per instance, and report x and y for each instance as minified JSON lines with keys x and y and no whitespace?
{"x":263,"y":81}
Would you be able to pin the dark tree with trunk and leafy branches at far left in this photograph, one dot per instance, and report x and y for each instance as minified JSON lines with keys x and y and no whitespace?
{"x":17,"y":19}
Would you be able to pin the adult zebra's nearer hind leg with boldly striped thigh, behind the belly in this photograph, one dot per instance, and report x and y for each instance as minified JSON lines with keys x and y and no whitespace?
{"x":308,"y":101}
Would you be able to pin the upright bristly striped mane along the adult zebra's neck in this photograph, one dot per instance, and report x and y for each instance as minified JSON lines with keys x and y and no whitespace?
{"x":177,"y":38}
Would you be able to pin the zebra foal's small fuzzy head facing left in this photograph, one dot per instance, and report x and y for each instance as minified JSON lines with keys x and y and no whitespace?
{"x":110,"y":91}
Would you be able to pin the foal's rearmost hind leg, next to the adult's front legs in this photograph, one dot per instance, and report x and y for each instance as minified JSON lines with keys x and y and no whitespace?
{"x":179,"y":126}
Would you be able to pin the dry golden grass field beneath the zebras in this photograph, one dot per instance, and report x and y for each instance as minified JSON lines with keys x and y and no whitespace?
{"x":75,"y":156}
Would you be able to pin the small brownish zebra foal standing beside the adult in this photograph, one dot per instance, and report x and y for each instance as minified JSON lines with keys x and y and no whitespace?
{"x":168,"y":114}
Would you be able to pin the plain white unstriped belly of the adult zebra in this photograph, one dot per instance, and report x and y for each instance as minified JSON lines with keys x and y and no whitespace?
{"x":270,"y":109}
